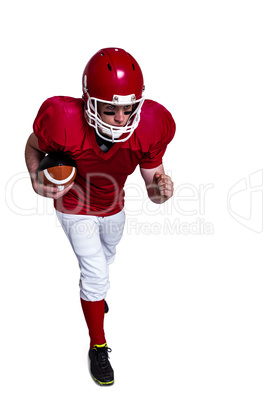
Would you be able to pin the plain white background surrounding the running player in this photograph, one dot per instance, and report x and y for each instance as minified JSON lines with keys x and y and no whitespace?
{"x":188,"y":297}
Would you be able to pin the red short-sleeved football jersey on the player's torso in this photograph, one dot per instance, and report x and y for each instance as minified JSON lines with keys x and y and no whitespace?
{"x":99,"y":185}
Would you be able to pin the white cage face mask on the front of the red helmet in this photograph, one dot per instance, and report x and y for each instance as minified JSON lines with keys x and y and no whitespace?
{"x":109,"y":132}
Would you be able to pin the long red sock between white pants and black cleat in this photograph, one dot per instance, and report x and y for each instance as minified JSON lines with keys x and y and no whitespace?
{"x":94,"y":316}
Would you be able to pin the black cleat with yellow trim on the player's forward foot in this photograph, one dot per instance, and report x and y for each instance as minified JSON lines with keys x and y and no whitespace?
{"x":100,"y":367}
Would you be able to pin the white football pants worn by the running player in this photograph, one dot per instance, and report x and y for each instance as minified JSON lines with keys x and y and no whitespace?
{"x":94,"y":241}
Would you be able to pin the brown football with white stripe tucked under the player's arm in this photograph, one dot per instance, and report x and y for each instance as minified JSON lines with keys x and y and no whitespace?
{"x":57,"y":170}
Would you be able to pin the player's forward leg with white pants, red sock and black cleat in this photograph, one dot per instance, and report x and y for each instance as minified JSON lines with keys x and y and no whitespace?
{"x":83,"y":234}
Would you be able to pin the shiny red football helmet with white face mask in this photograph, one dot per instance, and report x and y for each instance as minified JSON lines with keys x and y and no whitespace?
{"x":112,"y":76}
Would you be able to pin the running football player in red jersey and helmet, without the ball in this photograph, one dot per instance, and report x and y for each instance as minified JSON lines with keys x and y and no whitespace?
{"x":108,"y":132}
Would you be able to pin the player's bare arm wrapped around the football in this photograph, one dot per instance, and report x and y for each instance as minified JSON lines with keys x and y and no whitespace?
{"x":33,"y":157}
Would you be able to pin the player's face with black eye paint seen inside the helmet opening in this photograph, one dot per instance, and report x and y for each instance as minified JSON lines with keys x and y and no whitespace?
{"x":114,"y":115}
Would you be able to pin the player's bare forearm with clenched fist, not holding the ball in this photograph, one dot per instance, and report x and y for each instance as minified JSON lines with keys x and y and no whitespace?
{"x":159,"y":185}
